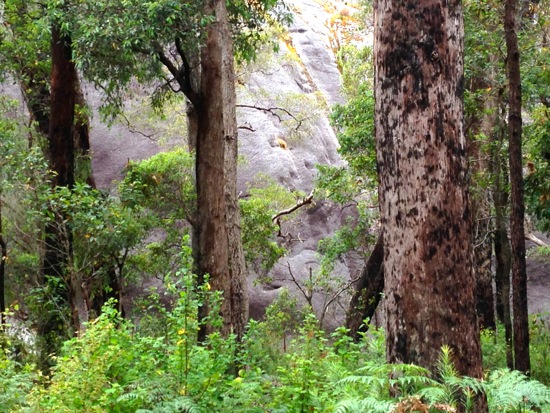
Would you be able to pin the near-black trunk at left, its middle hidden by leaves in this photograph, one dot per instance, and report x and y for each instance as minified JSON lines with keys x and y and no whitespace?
{"x":52,"y":328}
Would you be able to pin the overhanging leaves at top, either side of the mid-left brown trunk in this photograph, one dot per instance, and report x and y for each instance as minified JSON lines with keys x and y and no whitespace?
{"x":117,"y":41}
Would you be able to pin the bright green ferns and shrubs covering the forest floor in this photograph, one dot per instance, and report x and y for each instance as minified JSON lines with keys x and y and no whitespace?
{"x":156,"y":365}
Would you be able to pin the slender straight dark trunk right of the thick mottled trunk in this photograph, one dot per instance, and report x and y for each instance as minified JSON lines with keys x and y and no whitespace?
{"x":517,"y":215}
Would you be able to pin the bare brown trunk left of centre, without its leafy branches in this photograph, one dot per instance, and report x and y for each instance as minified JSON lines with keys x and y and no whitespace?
{"x":218,"y":232}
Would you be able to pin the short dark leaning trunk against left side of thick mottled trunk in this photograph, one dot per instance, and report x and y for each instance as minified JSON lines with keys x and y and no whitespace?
{"x":368,"y":291}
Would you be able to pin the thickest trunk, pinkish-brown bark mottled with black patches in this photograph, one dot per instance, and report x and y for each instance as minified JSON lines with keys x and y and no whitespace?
{"x":425,"y":215}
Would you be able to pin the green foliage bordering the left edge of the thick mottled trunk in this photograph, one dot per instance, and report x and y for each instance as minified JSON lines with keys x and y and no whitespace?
{"x":354,"y":184}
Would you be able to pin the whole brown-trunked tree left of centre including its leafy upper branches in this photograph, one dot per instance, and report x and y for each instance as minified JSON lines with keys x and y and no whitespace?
{"x":185,"y":47}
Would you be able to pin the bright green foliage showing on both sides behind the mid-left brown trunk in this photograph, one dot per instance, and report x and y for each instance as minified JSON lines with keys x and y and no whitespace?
{"x":164,"y":184}
